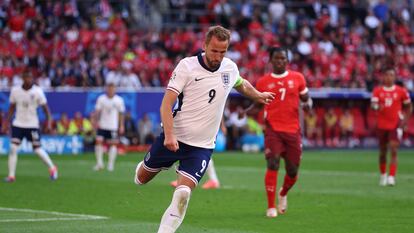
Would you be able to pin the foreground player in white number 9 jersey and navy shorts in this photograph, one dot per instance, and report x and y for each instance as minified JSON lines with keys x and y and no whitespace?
{"x":202,"y":84}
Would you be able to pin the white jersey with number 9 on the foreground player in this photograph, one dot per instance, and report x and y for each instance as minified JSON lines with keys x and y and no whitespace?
{"x":202,"y":97}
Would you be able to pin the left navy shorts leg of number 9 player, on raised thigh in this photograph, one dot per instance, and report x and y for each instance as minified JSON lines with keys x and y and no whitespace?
{"x":159,"y":157}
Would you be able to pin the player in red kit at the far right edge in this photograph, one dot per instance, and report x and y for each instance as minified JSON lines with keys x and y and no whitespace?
{"x":393,"y":106}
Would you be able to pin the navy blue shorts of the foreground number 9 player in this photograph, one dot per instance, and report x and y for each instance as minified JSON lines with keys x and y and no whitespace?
{"x":193,"y":160}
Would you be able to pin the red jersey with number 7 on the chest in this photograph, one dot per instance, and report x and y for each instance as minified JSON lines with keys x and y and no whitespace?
{"x":283,"y":112}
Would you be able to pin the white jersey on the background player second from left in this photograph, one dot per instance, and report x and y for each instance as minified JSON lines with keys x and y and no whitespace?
{"x":109,"y":109}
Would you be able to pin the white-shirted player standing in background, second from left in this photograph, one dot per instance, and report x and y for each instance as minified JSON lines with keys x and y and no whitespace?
{"x":110,"y":110}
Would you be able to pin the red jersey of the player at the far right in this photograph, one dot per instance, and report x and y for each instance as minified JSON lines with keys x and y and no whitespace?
{"x":390,"y":101}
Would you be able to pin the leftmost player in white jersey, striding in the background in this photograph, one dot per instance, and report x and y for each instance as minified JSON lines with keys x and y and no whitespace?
{"x":24,"y":100}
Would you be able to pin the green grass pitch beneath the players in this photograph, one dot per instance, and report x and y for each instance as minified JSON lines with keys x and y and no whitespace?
{"x":337,"y":192}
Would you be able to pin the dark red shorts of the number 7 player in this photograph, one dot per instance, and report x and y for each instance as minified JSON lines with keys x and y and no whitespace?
{"x":287,"y":145}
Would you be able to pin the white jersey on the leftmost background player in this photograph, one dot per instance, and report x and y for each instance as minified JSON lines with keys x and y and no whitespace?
{"x":27,"y":102}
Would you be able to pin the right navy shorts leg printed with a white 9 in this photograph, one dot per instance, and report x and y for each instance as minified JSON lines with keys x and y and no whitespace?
{"x":194,"y":162}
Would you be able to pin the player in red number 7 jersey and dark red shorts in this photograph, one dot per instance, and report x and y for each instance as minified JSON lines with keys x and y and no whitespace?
{"x":282,"y":133}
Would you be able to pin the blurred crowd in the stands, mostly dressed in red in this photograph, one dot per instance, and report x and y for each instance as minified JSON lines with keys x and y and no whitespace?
{"x":89,"y":43}
